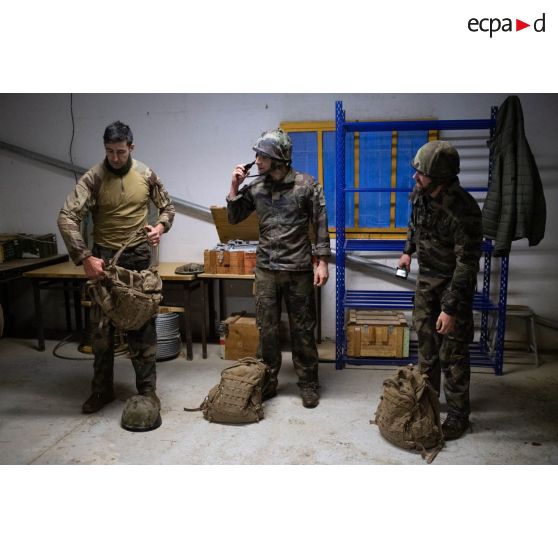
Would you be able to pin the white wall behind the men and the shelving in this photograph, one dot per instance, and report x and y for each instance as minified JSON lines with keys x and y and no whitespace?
{"x":194,"y":140}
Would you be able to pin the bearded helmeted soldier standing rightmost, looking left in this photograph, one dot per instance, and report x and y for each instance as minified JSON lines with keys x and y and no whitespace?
{"x":445,"y":231}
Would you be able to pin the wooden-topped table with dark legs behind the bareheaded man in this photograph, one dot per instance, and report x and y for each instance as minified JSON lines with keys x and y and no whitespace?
{"x":70,"y":278}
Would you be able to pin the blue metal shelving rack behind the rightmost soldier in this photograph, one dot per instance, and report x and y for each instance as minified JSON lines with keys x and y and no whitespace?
{"x":481,"y":355}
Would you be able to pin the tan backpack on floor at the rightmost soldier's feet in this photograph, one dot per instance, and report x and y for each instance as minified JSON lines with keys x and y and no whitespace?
{"x":409,"y":413}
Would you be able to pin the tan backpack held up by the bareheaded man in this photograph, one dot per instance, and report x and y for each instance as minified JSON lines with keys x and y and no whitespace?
{"x":127,"y":298}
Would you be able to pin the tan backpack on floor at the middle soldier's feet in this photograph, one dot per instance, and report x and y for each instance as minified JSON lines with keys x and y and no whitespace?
{"x":237,"y":398}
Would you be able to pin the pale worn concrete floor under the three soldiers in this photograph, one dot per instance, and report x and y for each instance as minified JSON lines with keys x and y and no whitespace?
{"x":515,"y":417}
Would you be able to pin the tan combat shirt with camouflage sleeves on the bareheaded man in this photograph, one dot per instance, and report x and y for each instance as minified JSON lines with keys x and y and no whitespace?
{"x":118,"y":205}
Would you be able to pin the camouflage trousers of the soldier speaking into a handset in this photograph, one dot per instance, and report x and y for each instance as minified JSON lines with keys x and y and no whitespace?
{"x":297,"y":290}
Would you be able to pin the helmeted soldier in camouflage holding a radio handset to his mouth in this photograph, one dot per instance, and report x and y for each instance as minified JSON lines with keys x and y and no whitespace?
{"x":286,"y":203}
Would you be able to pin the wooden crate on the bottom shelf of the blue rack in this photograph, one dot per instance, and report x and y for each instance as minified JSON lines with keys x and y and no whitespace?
{"x":377,"y":333}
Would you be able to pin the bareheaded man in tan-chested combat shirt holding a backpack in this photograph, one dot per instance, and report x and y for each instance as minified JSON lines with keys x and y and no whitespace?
{"x":117,"y":193}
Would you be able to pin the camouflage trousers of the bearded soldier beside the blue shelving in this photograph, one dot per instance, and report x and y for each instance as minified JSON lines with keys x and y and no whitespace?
{"x":444,"y":353}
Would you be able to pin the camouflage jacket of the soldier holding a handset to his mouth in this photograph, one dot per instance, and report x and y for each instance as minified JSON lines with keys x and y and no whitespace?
{"x":285,"y":210}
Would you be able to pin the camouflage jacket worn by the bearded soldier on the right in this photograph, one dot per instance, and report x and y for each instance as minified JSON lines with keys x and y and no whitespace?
{"x":446,"y":234}
